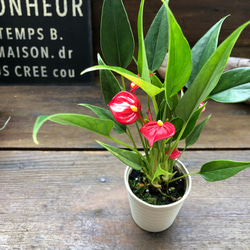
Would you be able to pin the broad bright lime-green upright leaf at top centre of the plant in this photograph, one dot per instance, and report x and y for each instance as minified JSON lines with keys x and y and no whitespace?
{"x":179,"y":59}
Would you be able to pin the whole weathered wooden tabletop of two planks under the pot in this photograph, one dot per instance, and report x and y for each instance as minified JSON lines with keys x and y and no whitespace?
{"x":52,"y":195}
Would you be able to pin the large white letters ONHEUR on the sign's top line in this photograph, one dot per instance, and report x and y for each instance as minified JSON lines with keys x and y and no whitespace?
{"x":42,"y":8}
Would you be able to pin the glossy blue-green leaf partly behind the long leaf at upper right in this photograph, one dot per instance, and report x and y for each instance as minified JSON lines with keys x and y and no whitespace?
{"x":203,"y":49}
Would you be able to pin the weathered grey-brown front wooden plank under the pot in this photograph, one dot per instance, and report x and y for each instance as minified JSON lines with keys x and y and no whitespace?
{"x":55,"y":200}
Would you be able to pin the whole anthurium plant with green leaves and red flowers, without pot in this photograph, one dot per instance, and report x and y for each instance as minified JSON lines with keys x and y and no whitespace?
{"x":174,"y":103}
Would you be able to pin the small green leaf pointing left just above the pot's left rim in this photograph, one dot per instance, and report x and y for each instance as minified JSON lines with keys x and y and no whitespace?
{"x":129,"y":158}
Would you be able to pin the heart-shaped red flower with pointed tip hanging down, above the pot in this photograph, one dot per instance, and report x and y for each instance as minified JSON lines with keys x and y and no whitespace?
{"x":157,"y":130}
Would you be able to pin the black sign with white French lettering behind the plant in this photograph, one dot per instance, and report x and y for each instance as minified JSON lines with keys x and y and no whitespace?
{"x":45,"y":41}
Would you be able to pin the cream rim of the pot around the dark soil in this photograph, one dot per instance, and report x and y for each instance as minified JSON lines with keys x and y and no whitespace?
{"x":188,"y":187}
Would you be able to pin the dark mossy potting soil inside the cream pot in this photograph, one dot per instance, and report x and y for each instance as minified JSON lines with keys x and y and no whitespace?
{"x":139,"y":186}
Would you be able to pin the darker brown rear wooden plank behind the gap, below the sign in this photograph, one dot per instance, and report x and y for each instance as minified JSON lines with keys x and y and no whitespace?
{"x":229,"y":126}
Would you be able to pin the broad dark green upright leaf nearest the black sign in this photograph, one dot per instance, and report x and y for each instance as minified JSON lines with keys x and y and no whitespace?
{"x":116,"y":36}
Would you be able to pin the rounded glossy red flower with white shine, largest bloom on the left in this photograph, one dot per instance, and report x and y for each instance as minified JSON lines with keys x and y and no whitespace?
{"x":125,"y":107}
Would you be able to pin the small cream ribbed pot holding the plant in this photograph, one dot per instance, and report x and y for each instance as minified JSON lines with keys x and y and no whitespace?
{"x":155,"y":218}
